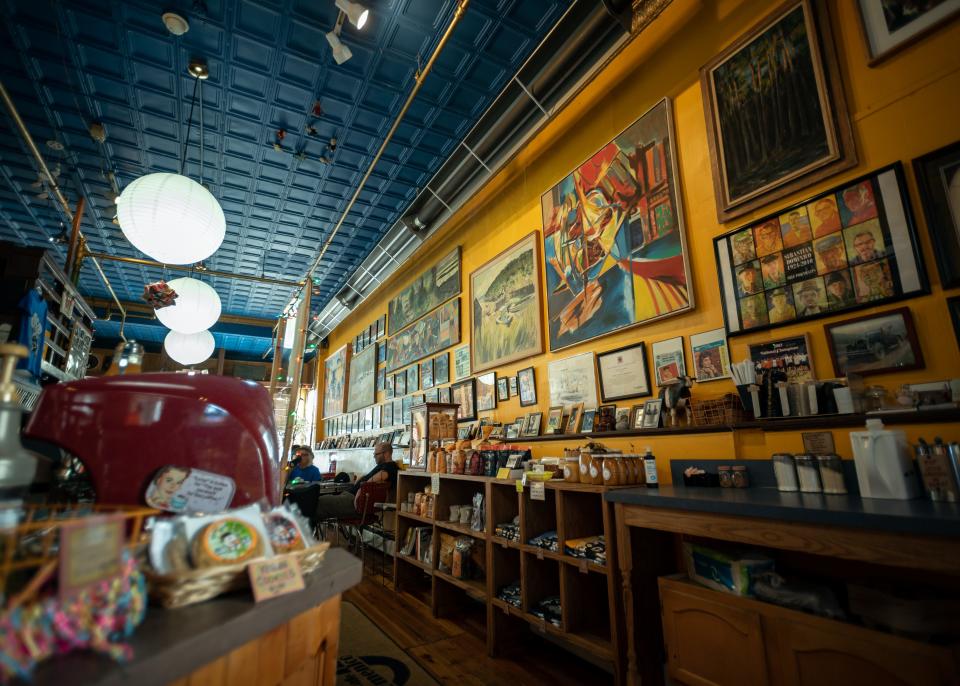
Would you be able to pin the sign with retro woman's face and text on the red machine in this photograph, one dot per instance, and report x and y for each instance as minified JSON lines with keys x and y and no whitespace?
{"x":184,"y":489}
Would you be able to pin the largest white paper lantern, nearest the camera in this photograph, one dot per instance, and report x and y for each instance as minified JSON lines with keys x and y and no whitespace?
{"x":171,"y":218}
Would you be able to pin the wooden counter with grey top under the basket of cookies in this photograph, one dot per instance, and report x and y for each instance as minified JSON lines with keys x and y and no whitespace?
{"x":229,"y":641}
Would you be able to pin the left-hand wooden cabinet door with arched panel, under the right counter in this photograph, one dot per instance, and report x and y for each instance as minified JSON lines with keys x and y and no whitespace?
{"x":711,"y":644}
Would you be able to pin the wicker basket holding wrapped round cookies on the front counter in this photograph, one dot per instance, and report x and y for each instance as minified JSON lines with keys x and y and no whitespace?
{"x":197,"y":585}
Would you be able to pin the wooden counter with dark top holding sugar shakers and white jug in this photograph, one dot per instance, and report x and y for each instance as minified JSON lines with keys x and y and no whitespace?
{"x":914,"y":535}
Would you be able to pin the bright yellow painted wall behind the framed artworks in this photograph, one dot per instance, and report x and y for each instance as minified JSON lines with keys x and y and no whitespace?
{"x":900,"y":109}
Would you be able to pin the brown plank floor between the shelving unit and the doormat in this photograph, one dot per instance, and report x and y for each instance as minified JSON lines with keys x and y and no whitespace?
{"x":456,"y":652}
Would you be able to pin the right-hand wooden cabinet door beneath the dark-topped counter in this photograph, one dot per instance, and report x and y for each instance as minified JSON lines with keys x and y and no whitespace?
{"x":815,"y":652}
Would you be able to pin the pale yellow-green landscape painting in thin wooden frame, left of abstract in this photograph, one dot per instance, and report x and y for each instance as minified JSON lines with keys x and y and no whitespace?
{"x":506,"y":302}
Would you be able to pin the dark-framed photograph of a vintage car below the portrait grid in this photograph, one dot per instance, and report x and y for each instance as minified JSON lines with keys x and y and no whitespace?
{"x":874,"y":344}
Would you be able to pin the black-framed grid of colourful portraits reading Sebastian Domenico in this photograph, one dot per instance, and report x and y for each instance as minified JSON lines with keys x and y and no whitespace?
{"x":851,"y":247}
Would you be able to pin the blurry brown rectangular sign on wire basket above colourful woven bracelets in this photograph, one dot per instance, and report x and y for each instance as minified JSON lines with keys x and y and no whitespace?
{"x":91,"y":551}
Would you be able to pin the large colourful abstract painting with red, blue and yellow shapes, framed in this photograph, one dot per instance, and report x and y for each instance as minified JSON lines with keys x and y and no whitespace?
{"x":613,"y":235}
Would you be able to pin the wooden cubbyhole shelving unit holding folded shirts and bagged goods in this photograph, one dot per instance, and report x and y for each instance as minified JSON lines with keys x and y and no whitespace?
{"x":592,"y":622}
